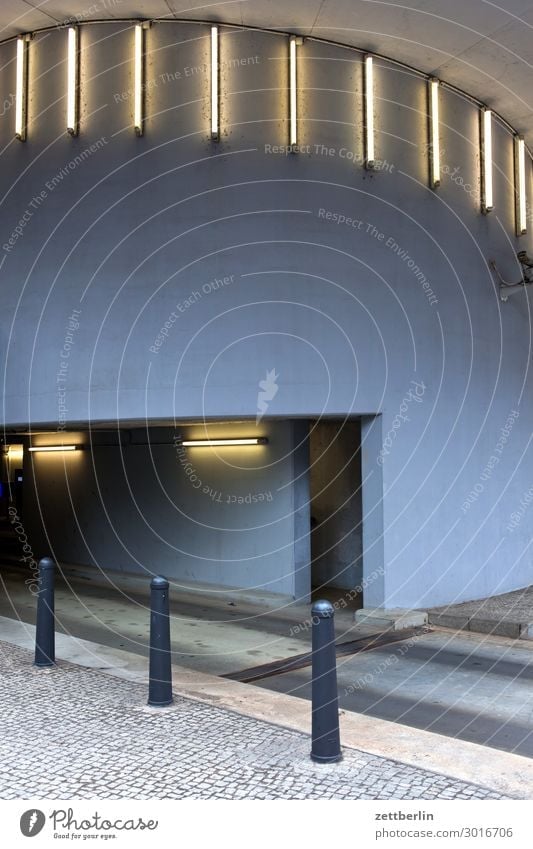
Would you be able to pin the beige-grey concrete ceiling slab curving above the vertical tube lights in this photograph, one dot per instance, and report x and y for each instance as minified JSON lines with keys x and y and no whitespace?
{"x":482,"y":46}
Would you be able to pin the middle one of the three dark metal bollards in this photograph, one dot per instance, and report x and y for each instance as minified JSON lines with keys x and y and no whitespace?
{"x":160,"y":686}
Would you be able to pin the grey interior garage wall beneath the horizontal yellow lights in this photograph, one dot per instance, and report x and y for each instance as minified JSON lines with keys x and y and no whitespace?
{"x":219,"y":516}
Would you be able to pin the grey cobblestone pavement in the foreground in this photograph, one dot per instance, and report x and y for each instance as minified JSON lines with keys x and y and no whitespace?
{"x":71,"y":732}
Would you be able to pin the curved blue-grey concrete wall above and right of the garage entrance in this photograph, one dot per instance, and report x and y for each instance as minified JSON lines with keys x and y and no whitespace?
{"x":175,"y":272}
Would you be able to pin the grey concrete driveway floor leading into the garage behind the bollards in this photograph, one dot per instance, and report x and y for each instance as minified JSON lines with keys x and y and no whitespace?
{"x":472,"y":687}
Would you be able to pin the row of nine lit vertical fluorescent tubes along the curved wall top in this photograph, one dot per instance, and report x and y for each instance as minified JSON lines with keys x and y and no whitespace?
{"x":487,"y":194}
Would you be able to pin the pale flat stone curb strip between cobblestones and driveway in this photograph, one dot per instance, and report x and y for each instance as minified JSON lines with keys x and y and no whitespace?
{"x":509,"y":774}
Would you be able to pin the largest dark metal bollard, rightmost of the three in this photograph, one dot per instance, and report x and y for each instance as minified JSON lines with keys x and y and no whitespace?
{"x":326,"y":746}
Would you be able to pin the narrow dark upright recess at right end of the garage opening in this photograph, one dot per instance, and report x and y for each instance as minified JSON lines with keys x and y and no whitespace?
{"x":336,"y":507}
